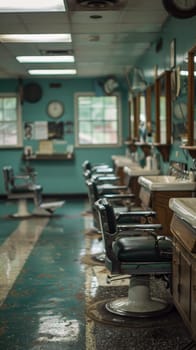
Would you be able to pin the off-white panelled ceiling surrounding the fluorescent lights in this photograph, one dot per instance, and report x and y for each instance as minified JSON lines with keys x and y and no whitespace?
{"x":106,"y":46}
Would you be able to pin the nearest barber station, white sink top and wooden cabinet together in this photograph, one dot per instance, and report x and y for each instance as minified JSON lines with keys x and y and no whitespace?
{"x":183,"y":227}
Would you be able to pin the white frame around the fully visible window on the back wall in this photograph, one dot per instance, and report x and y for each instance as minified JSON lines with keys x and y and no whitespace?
{"x":119,"y":126}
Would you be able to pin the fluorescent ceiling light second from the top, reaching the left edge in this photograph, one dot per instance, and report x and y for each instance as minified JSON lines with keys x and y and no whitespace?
{"x":35,"y":38}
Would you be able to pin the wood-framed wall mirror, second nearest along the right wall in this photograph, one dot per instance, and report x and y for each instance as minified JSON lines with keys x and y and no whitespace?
{"x":163,"y":108}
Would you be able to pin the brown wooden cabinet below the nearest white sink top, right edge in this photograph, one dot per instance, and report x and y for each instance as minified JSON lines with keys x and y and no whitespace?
{"x":184,"y":271}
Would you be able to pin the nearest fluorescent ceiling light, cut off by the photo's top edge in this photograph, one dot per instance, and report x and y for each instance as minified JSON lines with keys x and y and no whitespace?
{"x":32,"y":6}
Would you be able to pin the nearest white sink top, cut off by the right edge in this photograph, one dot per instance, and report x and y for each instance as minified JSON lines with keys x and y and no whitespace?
{"x":185,"y":208}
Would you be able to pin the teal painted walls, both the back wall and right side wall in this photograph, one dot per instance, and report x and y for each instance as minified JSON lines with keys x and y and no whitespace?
{"x":65,"y":177}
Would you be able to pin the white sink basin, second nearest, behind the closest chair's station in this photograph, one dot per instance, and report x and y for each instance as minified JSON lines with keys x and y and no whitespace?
{"x":166,"y":183}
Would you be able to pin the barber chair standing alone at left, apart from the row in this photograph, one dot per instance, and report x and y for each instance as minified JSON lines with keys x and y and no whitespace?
{"x":23,"y":187}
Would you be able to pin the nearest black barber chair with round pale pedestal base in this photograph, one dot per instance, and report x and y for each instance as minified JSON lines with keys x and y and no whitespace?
{"x":140,"y":254}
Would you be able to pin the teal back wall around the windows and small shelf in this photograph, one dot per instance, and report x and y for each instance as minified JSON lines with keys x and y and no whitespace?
{"x":61,"y":177}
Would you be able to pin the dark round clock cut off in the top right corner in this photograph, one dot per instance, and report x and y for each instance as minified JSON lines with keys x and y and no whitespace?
{"x":180,"y":8}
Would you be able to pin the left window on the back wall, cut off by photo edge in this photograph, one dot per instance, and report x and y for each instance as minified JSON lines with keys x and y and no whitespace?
{"x":10,"y":121}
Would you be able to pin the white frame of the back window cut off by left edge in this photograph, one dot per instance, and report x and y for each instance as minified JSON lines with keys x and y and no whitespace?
{"x":19,"y":142}
